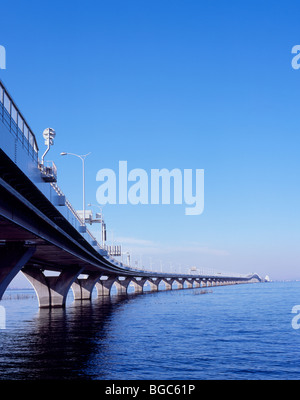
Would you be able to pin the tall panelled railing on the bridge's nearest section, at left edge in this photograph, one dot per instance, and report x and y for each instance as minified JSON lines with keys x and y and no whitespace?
{"x":16,"y":123}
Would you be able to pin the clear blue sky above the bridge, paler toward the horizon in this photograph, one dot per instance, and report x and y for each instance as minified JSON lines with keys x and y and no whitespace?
{"x":171,"y":84}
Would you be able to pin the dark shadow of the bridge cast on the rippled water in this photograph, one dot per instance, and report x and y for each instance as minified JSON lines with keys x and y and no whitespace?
{"x":60,"y":343}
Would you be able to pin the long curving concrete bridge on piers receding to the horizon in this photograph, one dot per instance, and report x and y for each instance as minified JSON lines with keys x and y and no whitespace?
{"x":40,"y":231}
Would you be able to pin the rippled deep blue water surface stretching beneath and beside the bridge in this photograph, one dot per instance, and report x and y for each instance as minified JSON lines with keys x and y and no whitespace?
{"x":229,"y":332}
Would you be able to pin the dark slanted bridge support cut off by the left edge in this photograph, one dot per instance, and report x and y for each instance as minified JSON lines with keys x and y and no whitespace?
{"x":13,"y":257}
